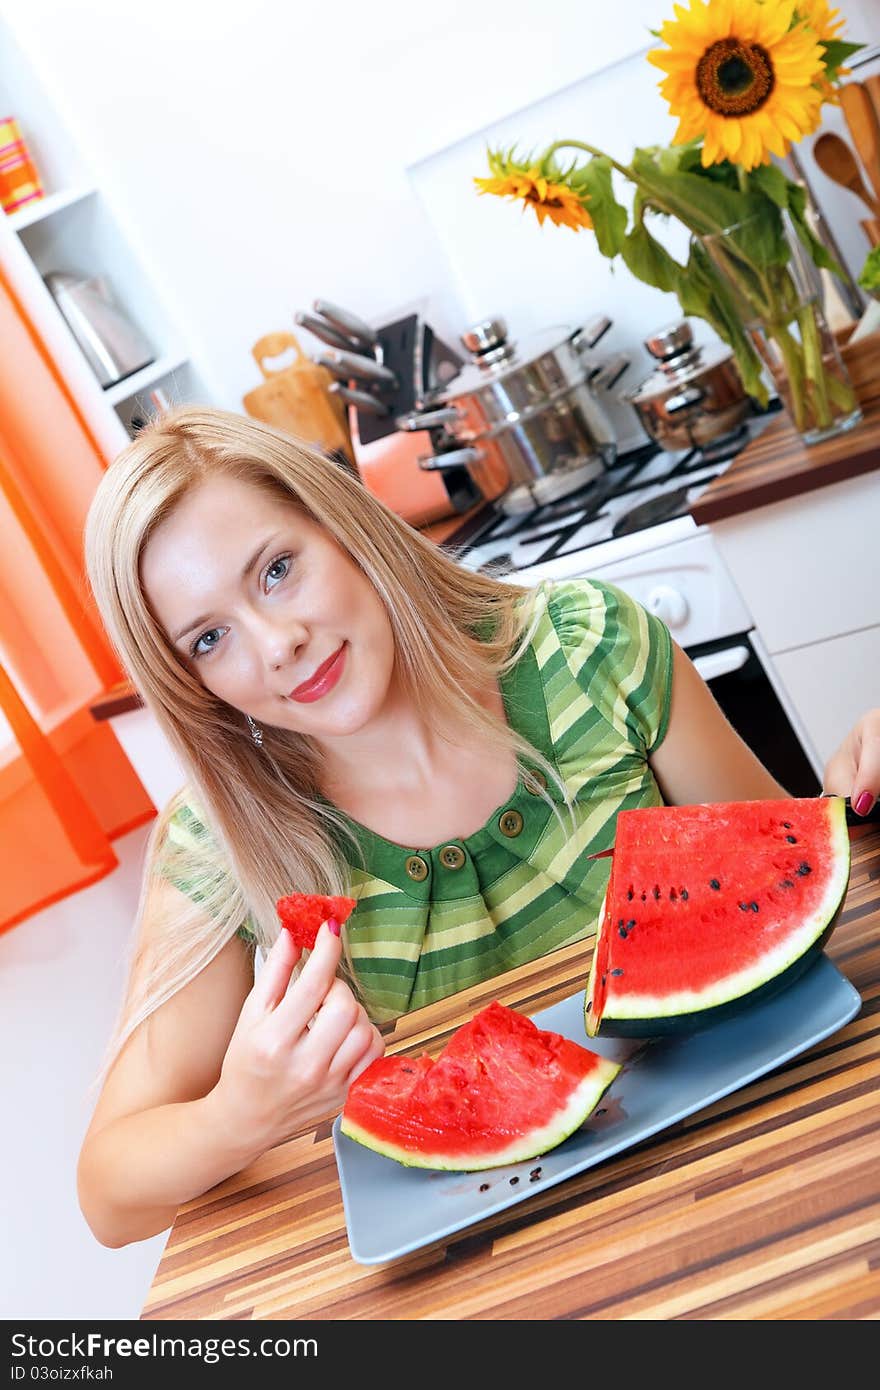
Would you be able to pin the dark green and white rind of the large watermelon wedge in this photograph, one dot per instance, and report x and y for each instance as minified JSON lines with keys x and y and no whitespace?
{"x":646,"y":1017}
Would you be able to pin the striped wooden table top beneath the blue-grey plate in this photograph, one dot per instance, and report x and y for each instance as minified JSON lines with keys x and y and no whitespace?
{"x":765,"y":1206}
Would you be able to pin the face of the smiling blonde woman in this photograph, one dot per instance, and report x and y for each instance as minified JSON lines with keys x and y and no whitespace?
{"x":256,"y":598}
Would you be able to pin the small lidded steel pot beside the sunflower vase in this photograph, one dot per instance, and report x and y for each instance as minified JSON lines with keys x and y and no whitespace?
{"x":694,"y":397}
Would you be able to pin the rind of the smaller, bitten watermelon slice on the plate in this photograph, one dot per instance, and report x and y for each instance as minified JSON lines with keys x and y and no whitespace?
{"x":530,"y":1145}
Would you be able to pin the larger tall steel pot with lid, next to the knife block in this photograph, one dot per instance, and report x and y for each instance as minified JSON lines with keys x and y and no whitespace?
{"x":526,"y":408}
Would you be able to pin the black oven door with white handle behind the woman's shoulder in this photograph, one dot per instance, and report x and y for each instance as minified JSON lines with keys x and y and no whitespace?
{"x":742,"y":687}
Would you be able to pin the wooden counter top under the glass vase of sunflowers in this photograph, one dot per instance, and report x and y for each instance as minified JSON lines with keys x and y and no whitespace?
{"x":778,"y":465}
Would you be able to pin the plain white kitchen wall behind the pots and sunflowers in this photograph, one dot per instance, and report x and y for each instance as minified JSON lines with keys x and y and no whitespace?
{"x":263,"y":155}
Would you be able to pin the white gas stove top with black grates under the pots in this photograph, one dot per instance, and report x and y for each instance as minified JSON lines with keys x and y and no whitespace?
{"x":639,"y":504}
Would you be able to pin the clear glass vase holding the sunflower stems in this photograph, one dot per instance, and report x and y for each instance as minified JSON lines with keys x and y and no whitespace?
{"x":776,"y":290}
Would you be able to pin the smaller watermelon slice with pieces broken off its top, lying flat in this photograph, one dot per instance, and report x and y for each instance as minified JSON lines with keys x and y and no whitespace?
{"x":501,"y":1092}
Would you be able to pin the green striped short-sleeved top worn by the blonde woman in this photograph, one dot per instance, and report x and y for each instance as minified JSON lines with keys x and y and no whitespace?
{"x":593,"y":694}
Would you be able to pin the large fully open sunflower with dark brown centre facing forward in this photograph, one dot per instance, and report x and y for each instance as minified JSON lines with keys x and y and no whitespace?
{"x":744,"y":76}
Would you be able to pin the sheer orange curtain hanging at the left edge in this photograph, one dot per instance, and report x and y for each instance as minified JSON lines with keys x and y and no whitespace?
{"x":67,"y":790}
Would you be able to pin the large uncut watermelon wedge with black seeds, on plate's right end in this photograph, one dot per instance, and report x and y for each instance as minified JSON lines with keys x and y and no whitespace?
{"x":710,"y":908}
